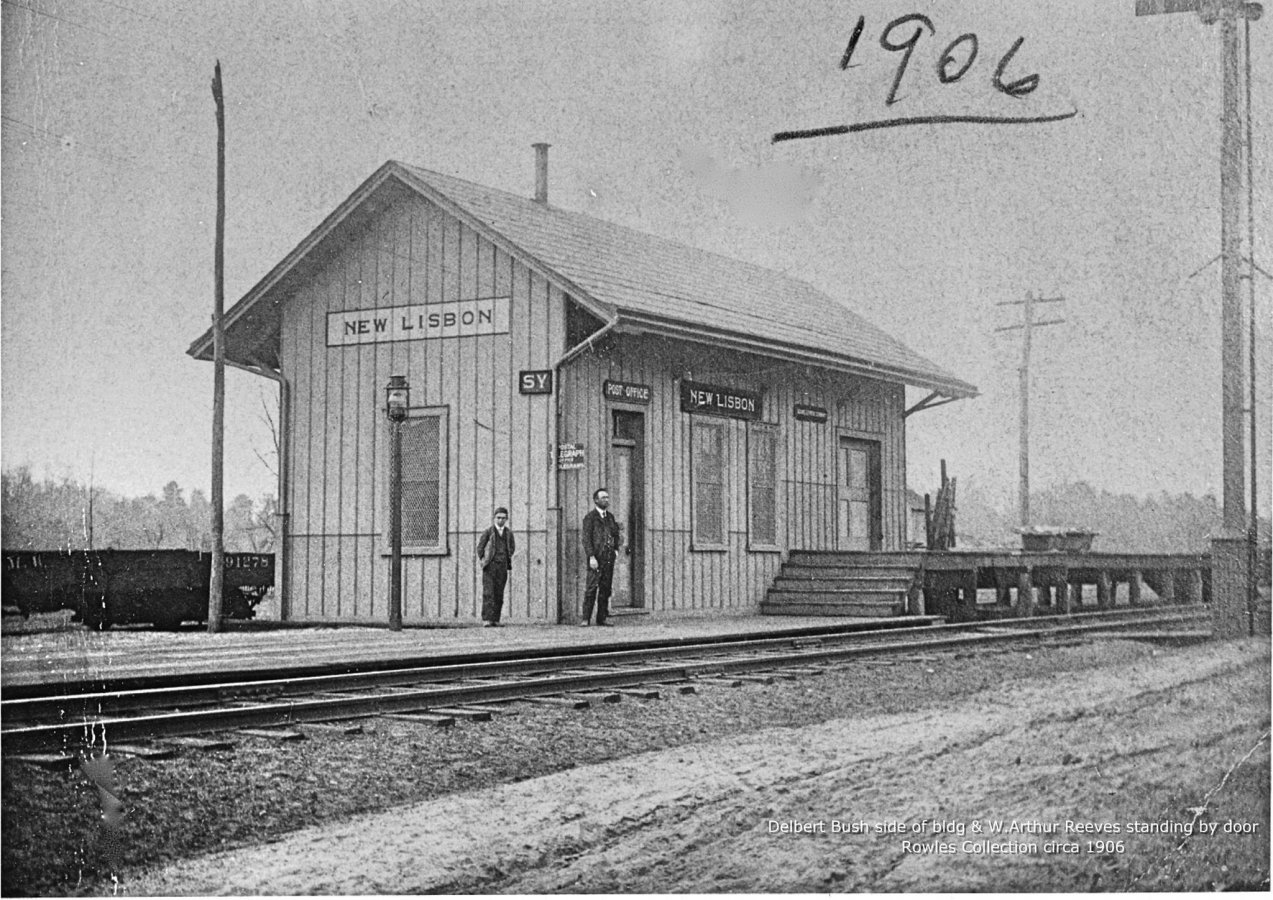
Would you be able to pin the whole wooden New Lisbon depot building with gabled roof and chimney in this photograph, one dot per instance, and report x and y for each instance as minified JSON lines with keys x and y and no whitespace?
{"x":734,"y":413}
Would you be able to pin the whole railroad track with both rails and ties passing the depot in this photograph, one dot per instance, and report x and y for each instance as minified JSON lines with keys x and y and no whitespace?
{"x":81,"y":722}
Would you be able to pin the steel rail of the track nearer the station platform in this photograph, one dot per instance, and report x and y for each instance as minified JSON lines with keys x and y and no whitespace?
{"x":58,"y":707}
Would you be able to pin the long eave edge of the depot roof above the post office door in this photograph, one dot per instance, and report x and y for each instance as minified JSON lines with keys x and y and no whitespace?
{"x":945,"y":388}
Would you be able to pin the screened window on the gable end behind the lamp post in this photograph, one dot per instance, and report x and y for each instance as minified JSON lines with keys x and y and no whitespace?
{"x":425,"y":481}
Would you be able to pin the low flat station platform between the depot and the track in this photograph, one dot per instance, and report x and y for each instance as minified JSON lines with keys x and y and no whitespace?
{"x":76,"y":655}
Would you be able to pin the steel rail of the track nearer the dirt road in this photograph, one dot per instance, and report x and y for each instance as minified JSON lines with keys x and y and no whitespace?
{"x":99,"y":731}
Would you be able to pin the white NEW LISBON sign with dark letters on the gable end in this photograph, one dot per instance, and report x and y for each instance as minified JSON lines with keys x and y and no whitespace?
{"x":460,"y":319}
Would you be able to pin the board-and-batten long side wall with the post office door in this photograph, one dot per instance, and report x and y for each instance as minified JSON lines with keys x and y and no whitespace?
{"x":680,"y":580}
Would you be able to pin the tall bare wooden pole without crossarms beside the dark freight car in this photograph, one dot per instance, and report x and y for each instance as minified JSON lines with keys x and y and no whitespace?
{"x":215,"y":590}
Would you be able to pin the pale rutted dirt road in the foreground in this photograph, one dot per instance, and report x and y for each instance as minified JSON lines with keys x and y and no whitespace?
{"x":1135,"y":747}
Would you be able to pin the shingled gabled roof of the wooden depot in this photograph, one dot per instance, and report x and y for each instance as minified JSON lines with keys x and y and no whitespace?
{"x":633,"y":281}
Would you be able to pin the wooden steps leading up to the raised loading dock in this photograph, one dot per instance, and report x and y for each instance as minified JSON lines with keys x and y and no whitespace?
{"x":870,"y":585}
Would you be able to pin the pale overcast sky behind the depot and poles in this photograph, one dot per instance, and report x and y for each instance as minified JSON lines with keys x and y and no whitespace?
{"x":661,"y":118}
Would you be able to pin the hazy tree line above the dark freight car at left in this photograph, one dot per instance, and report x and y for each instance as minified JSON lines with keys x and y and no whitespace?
{"x":66,"y":515}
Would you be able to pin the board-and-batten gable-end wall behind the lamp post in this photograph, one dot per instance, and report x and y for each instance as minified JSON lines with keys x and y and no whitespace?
{"x":498,"y":441}
